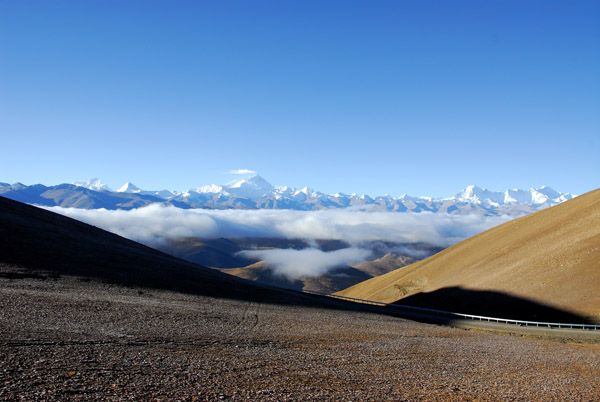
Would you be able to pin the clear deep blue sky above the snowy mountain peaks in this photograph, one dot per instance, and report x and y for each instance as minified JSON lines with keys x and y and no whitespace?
{"x":417,"y":97}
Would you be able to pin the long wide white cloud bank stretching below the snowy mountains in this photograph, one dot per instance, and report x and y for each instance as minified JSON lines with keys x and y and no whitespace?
{"x":157,"y":223}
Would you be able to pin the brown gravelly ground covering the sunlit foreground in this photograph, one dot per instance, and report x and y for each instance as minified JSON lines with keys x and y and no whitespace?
{"x":70,"y":339}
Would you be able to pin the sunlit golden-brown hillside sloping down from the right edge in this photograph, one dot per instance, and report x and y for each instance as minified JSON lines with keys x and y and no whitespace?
{"x":551,"y":257}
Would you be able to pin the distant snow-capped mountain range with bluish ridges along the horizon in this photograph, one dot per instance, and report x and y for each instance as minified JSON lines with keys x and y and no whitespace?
{"x":257,"y":193}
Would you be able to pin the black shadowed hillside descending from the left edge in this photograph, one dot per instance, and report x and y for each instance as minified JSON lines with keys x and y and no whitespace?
{"x":38,"y":243}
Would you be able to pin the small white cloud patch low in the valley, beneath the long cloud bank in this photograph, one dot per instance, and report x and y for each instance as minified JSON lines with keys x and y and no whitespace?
{"x":310,"y":262}
